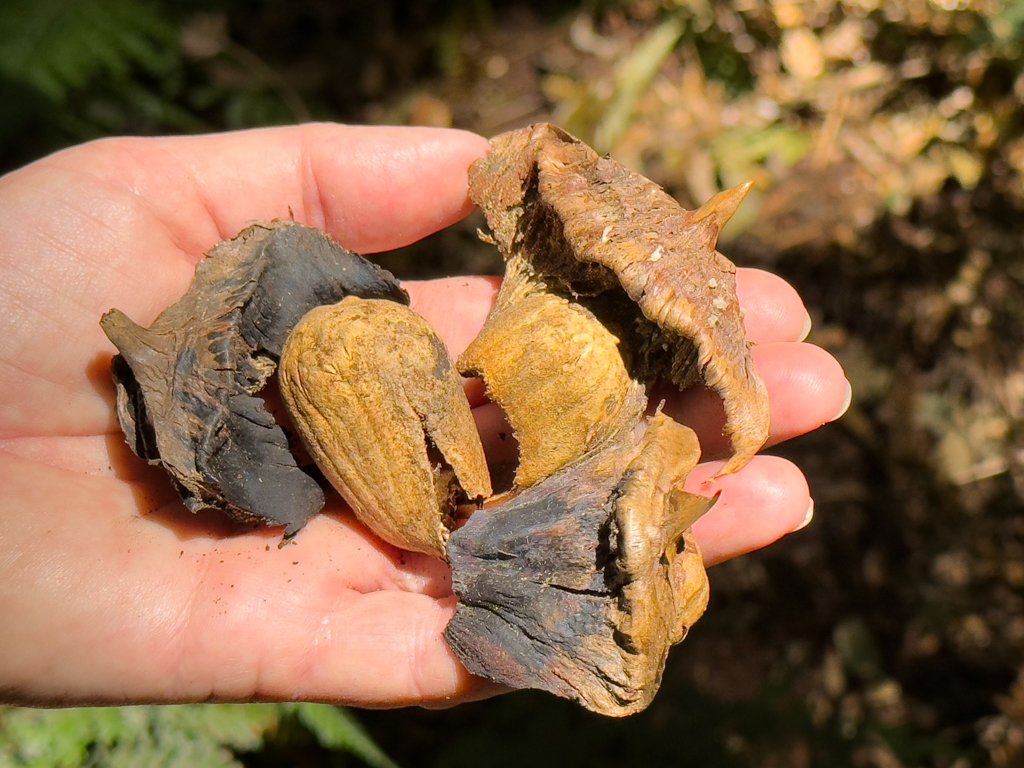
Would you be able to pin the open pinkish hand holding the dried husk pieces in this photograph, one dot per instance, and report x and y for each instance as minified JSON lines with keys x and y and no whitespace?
{"x":113,"y":592}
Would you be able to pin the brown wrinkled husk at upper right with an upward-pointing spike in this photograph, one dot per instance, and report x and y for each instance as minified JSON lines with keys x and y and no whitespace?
{"x":580,"y":226}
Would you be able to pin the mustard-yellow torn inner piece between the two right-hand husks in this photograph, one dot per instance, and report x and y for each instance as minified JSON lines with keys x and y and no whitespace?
{"x":561,"y":377}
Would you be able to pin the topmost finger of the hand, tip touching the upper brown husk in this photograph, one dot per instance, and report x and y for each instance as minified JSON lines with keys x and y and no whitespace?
{"x":373,"y":189}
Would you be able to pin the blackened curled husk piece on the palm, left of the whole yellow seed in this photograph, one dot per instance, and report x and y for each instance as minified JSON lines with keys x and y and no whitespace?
{"x":187,"y":386}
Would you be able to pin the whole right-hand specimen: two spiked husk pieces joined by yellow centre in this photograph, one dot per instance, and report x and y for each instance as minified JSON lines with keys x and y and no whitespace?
{"x":611,"y":288}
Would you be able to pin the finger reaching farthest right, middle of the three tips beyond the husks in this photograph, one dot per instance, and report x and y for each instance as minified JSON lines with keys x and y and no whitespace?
{"x":806,"y":389}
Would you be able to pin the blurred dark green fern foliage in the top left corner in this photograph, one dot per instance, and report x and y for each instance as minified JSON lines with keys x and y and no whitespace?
{"x":75,"y":71}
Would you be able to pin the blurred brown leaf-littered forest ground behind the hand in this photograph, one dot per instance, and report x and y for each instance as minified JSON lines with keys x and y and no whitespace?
{"x":886,"y":139}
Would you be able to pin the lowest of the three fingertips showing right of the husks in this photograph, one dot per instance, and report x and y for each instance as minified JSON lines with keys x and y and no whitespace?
{"x":760,"y":504}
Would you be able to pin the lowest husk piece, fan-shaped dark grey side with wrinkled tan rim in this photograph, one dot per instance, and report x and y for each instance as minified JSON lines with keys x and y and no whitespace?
{"x":580,"y":585}
